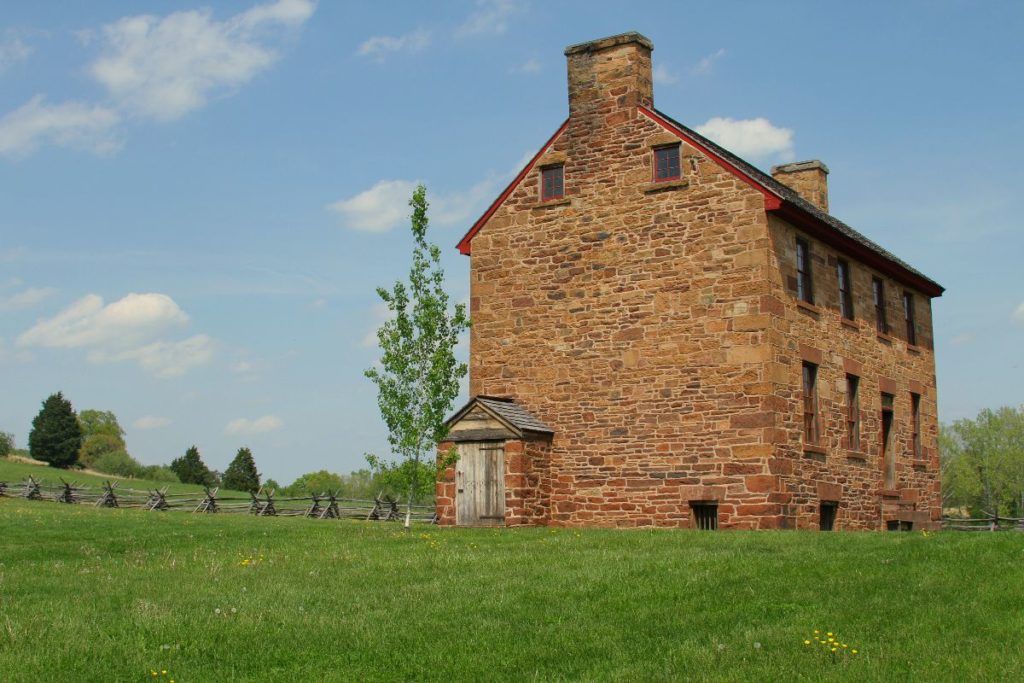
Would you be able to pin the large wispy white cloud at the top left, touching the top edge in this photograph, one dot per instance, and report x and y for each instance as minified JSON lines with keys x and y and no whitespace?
{"x":166,"y":67}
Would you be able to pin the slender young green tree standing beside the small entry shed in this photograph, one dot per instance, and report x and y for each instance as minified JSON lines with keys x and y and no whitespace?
{"x":418,"y":377}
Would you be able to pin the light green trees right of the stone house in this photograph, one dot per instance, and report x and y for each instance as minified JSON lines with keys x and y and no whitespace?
{"x":984,"y":463}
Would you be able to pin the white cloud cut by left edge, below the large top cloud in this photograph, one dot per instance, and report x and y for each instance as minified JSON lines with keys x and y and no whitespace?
{"x":71,"y":124}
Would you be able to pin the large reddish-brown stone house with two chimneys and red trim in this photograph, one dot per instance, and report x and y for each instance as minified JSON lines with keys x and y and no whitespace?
{"x":664,"y":335}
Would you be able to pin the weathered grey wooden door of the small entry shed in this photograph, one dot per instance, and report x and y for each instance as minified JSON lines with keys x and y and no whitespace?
{"x":480,"y":479}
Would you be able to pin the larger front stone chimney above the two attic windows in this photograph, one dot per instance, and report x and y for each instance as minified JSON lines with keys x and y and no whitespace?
{"x":608,"y":78}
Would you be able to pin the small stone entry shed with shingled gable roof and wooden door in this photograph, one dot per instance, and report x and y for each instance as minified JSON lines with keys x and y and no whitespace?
{"x":502,"y":451}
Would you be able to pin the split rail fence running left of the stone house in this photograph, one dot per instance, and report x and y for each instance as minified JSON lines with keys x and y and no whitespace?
{"x":327,"y":505}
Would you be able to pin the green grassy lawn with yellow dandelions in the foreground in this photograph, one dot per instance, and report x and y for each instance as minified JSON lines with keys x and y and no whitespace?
{"x":110,"y":595}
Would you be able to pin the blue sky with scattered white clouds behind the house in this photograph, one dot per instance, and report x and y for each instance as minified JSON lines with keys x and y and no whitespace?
{"x":198,"y":200}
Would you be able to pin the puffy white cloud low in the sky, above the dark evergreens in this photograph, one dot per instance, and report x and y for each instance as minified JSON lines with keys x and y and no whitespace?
{"x":131,"y":329}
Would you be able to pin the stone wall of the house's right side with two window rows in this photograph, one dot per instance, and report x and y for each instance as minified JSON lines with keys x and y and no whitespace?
{"x":884,"y":364}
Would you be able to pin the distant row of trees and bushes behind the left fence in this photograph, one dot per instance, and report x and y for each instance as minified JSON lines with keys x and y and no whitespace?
{"x":95,"y":440}
